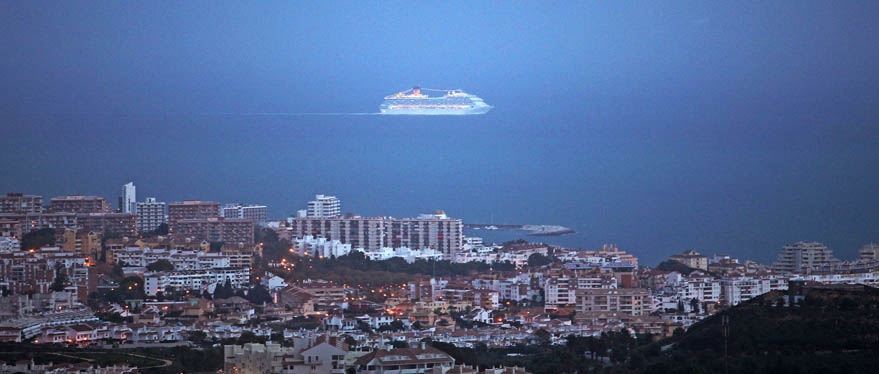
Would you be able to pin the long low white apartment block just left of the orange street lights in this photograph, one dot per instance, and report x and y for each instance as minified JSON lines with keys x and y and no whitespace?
{"x":194,"y":280}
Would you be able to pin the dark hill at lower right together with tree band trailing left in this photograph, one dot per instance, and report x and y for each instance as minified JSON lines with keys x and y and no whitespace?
{"x":831,"y":330}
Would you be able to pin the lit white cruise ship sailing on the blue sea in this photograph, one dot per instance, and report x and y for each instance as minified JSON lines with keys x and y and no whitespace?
{"x":414,"y":102}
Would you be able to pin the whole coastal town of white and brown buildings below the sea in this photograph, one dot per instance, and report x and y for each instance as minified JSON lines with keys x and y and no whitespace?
{"x":227,"y":288}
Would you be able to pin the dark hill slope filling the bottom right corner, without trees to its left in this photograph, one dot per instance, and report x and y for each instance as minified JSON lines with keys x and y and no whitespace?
{"x":808,"y":329}
